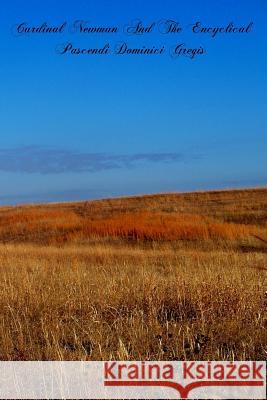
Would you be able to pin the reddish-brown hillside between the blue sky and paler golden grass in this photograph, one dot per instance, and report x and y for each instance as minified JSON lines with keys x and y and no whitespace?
{"x":236,"y":216}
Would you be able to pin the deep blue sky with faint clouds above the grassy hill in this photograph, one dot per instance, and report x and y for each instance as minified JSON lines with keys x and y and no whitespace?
{"x":79,"y":127}
